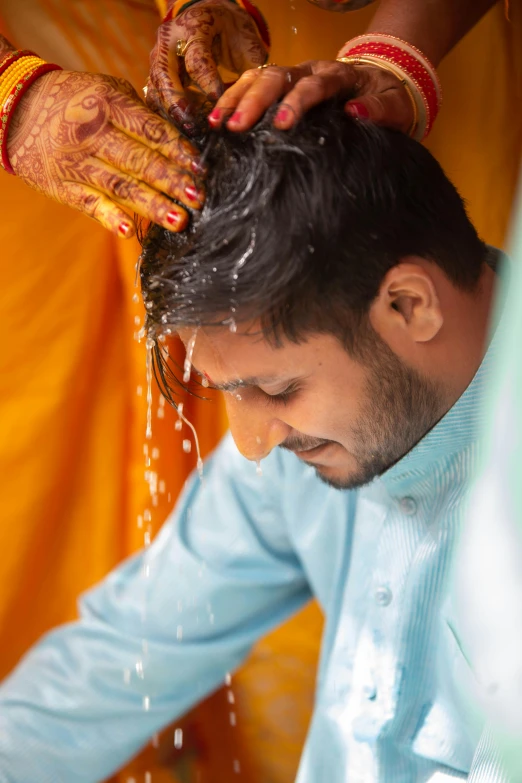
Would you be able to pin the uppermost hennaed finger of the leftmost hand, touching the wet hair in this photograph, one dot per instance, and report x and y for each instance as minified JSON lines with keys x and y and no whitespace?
{"x":137,"y":122}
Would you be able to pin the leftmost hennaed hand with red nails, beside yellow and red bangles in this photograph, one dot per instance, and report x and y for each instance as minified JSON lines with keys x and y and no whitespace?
{"x":88,"y":141}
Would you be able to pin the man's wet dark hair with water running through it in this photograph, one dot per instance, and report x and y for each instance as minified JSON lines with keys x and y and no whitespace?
{"x":300,"y":227}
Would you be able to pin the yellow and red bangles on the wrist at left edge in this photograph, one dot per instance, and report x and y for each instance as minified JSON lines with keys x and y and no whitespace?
{"x":18,"y":70}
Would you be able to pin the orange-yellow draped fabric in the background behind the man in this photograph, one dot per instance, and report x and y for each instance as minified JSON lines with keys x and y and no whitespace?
{"x":72,"y":413}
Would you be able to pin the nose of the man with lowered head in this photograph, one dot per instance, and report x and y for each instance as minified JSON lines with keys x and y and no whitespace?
{"x":256,"y":431}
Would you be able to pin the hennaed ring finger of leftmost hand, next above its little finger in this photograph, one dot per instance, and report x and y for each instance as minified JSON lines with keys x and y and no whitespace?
{"x":130,"y":193}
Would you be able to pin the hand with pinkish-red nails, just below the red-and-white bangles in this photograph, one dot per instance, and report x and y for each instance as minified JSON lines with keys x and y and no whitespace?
{"x":380,"y":96}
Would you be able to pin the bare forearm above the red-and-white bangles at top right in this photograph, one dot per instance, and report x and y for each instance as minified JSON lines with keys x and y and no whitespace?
{"x":434,"y":26}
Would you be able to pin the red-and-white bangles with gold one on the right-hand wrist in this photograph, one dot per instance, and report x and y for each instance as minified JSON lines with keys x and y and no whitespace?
{"x":413,"y":69}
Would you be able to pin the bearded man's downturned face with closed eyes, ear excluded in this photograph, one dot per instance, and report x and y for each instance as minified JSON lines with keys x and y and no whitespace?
{"x":349,"y":419}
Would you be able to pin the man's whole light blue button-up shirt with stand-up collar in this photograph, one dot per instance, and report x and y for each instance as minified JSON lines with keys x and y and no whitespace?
{"x":239,"y":555}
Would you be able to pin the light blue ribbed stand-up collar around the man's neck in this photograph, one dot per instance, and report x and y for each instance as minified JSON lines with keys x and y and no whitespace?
{"x":458,"y":429}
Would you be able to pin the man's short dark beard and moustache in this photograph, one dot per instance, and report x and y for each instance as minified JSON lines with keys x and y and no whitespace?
{"x":401,"y":407}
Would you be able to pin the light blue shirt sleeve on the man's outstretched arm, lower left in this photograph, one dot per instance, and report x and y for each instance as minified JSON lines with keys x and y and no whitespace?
{"x":159,"y":633}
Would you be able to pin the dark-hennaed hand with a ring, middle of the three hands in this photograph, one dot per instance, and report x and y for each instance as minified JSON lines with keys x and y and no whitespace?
{"x":217,"y":33}
